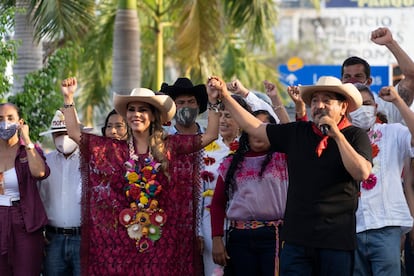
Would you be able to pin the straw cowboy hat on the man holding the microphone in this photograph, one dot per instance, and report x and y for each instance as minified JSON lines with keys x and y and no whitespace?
{"x":334,"y":85}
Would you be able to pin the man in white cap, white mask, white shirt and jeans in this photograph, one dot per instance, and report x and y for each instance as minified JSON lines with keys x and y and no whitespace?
{"x":61,"y":196}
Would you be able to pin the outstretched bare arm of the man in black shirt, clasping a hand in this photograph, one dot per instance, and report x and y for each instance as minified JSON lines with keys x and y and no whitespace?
{"x":246,"y":121}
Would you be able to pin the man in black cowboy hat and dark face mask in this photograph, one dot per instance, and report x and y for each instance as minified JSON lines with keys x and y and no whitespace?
{"x":191,"y":100}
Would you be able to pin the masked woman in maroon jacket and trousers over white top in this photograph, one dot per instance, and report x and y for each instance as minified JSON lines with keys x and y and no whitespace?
{"x":22,"y":215}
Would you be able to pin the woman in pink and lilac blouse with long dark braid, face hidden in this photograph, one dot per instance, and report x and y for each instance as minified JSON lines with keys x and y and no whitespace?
{"x":251,"y":193}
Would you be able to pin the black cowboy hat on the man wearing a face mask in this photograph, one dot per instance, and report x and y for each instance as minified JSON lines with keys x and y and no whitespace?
{"x":184,"y":86}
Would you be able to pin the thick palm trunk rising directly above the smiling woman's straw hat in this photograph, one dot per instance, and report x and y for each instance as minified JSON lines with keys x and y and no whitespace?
{"x":126,"y":72}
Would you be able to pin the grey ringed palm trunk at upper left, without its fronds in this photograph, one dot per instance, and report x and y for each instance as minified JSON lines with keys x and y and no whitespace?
{"x":29,"y":53}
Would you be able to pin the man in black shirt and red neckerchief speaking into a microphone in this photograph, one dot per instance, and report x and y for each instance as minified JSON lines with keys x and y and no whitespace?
{"x":324,"y":171}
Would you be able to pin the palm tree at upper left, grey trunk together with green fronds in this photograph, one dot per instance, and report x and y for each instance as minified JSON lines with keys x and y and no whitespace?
{"x":36,"y":20}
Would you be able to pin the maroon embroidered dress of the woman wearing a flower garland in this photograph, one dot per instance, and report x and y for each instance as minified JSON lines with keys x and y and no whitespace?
{"x":106,"y":248}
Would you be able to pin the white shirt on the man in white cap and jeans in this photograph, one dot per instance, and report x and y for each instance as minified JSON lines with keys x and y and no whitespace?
{"x":61,"y":191}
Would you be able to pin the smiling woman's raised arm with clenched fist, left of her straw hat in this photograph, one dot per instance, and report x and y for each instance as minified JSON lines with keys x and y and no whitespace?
{"x":68,"y":88}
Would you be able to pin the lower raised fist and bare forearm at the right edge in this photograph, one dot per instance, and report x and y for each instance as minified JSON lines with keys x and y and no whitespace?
{"x":389,"y":94}
